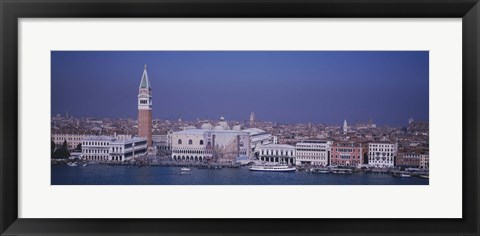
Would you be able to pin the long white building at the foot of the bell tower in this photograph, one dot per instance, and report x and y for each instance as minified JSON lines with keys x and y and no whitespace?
{"x":105,"y":148}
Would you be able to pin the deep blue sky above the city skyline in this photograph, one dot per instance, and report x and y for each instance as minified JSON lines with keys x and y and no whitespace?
{"x":281,"y":86}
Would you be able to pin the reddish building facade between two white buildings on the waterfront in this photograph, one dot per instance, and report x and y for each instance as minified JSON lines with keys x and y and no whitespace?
{"x":348,"y":154}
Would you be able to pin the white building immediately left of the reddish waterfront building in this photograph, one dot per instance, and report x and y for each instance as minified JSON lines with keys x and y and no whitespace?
{"x":313,"y":152}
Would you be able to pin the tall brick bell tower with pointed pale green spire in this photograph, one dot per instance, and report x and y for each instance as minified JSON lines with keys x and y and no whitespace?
{"x":145,"y":109}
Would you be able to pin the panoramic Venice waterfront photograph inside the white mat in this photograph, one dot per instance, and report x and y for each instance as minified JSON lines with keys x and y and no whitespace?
{"x":239,"y":118}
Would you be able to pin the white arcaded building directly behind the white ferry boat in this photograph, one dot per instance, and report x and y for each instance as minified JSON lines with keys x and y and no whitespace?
{"x":279,"y":153}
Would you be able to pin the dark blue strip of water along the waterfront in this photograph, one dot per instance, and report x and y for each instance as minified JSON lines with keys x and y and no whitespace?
{"x":62,"y":174}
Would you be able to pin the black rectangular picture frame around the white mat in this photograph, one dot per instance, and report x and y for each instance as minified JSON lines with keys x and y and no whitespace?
{"x":11,"y":11}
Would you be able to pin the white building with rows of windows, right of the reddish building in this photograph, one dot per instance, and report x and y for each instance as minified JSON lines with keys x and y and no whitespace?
{"x":382,"y":154}
